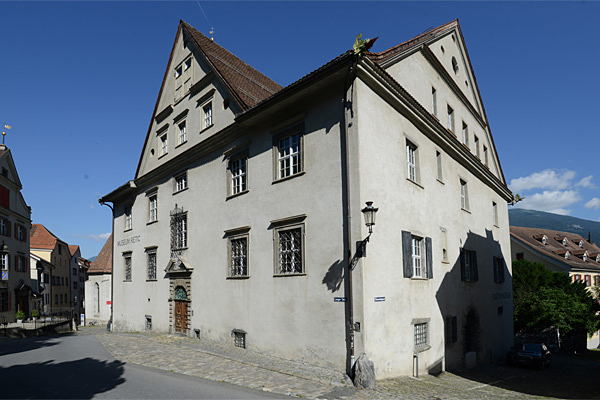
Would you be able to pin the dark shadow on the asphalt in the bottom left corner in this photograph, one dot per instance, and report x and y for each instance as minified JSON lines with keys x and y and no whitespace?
{"x":81,"y":379}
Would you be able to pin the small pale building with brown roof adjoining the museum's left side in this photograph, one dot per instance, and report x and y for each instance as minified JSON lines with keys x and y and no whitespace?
{"x":98,"y":286}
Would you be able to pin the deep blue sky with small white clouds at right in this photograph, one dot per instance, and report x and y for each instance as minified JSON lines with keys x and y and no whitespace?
{"x":78,"y":83}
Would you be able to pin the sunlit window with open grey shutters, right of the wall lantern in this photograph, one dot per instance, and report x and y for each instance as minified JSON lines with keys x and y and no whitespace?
{"x":417,"y":256}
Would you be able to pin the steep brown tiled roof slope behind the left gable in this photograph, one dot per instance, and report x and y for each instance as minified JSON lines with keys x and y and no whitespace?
{"x":249,"y":86}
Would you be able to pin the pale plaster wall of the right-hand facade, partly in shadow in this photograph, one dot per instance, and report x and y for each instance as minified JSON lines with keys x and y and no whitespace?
{"x":423,"y":209}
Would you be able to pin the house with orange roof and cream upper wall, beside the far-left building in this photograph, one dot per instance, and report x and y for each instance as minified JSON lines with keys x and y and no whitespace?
{"x":48,"y":247}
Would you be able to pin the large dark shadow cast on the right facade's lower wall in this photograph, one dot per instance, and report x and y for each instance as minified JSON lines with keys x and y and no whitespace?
{"x":471,"y":289}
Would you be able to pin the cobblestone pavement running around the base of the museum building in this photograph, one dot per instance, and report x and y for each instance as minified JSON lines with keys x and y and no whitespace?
{"x":206,"y":359}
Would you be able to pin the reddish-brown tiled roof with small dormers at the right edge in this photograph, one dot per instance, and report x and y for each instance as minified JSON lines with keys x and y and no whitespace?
{"x":554,"y":247}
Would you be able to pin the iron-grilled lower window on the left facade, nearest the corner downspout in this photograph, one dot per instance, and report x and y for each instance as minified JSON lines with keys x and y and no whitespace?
{"x":289,"y":249}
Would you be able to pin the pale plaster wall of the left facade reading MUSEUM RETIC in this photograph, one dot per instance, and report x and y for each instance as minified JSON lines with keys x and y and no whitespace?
{"x":292,"y":316}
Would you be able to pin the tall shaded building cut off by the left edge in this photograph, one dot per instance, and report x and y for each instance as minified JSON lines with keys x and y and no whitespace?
{"x":15,"y":222}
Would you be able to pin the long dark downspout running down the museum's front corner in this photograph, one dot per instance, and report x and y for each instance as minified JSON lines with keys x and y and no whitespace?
{"x":350,"y":77}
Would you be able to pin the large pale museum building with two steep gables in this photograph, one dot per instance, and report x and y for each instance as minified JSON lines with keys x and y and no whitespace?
{"x":246,"y":205}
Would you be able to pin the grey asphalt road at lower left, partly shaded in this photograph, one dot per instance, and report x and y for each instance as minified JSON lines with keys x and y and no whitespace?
{"x":69,"y":366}
